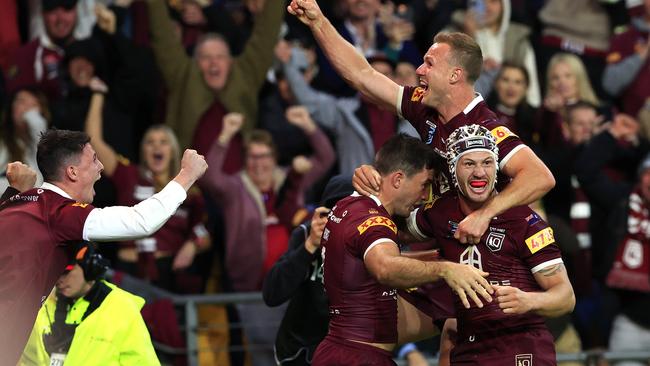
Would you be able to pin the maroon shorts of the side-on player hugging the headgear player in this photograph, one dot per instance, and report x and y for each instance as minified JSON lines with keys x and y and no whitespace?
{"x":334,"y":351}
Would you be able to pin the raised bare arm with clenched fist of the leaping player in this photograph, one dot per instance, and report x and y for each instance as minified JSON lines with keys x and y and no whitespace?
{"x":347,"y":61}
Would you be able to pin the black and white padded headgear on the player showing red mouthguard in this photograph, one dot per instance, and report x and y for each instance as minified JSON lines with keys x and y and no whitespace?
{"x":466,"y":139}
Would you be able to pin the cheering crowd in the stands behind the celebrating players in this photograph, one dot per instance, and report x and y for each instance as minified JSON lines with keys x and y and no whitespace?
{"x":245,"y":85}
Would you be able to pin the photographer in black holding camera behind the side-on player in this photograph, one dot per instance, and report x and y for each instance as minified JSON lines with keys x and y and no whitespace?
{"x":297,"y":277}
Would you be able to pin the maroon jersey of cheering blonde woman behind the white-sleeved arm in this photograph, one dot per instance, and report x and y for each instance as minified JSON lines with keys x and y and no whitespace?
{"x":186,"y":223}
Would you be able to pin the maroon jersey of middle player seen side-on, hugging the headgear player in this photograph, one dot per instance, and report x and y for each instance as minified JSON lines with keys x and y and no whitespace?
{"x":360,"y":307}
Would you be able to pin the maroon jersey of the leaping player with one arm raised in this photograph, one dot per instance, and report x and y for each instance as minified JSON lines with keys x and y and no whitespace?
{"x":434,"y":132}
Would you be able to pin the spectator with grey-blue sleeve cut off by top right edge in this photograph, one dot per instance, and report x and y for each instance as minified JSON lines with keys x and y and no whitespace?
{"x":627,"y":74}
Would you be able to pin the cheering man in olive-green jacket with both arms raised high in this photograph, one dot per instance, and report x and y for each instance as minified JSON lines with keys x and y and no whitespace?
{"x":212,"y":84}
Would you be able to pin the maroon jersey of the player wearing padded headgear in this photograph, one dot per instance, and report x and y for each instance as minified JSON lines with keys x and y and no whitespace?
{"x":517,"y":244}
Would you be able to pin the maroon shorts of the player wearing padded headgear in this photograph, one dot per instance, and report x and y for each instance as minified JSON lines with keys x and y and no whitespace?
{"x":530,"y":347}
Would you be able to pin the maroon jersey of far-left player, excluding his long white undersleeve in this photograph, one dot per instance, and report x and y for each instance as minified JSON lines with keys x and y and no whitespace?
{"x":35,"y":227}
